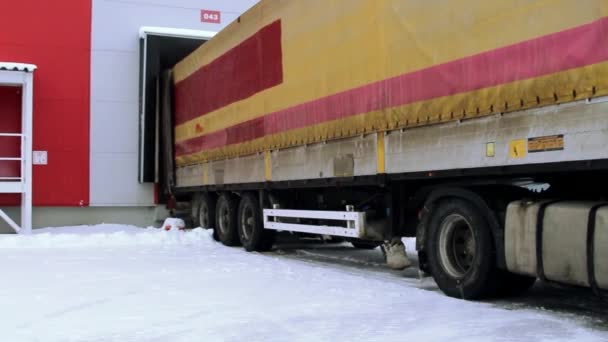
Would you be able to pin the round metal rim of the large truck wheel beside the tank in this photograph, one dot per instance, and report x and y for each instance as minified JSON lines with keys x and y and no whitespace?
{"x":457,"y":247}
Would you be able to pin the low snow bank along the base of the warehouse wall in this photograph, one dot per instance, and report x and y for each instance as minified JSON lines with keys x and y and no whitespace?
{"x":104,"y":236}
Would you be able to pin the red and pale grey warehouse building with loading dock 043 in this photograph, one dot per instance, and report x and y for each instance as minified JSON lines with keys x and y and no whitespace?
{"x":94,"y":82}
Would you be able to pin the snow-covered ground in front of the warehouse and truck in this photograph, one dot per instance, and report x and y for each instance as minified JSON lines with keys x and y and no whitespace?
{"x":119,"y":283}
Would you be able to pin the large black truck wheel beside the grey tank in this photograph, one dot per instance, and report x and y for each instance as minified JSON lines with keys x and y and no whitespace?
{"x":460,"y":250}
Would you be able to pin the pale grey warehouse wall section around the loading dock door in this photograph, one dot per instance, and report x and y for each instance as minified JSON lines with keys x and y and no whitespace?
{"x":114,"y":86}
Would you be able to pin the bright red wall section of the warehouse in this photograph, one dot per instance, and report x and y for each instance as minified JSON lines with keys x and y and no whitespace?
{"x":56,"y":36}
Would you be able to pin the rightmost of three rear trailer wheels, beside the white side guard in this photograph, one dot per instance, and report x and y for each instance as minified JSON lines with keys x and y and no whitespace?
{"x":252,"y":234}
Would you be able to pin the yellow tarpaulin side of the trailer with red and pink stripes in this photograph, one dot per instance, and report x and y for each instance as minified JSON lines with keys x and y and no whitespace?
{"x":293,"y":72}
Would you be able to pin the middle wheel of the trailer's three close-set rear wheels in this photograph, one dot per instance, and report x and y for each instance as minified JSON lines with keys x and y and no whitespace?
{"x":226,"y":220}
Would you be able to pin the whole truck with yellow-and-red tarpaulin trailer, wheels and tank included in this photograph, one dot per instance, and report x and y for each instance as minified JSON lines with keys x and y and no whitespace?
{"x":478,"y":127}
